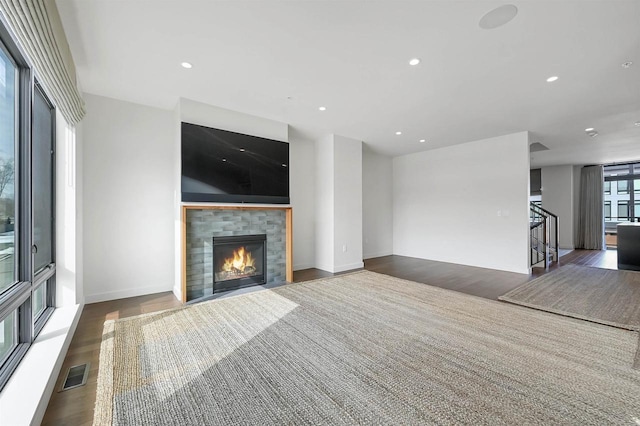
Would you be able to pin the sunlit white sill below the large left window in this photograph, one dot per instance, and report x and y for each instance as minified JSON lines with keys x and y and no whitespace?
{"x":24,"y":399}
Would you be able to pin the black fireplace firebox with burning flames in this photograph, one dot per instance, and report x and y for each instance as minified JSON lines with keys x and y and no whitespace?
{"x":239,"y":261}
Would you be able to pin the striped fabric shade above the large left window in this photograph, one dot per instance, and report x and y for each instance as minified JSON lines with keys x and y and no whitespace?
{"x":32,"y":27}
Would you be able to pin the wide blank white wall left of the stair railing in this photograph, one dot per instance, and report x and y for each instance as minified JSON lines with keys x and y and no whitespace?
{"x":465,"y":204}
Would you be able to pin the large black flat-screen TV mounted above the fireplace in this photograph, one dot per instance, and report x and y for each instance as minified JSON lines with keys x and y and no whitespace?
{"x":223,"y":166}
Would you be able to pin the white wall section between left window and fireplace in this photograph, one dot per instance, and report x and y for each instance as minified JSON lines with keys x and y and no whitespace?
{"x":128,"y":199}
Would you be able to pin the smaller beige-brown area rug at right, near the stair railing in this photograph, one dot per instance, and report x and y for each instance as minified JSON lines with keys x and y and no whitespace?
{"x":601,"y":295}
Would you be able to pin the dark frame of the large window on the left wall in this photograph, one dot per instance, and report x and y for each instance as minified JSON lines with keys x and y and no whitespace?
{"x":17,"y":298}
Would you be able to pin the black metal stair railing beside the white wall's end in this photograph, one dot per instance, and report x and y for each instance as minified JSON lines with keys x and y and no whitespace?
{"x":543,"y":235}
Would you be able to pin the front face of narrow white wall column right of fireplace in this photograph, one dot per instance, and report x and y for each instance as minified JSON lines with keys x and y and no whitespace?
{"x":347,"y":207}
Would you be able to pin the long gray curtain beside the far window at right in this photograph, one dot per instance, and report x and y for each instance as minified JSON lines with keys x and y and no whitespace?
{"x":591,"y":219}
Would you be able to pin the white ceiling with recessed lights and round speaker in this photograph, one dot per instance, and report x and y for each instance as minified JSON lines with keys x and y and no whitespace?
{"x":352,"y":57}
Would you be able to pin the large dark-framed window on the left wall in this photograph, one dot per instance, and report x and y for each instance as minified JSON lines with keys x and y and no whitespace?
{"x":27,"y":240}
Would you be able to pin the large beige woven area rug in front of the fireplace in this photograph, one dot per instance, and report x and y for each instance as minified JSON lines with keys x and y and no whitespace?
{"x":364,"y":348}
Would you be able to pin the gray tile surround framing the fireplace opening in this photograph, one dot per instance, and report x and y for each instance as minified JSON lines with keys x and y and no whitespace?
{"x":204,"y":224}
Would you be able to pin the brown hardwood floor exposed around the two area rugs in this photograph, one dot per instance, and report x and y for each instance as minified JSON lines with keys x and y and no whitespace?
{"x":75,"y":406}
